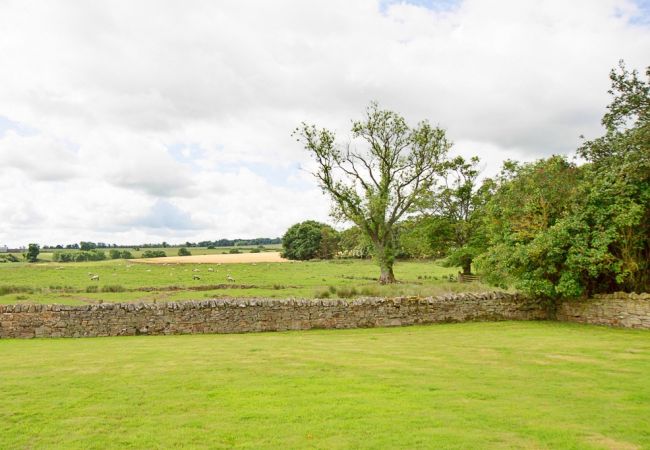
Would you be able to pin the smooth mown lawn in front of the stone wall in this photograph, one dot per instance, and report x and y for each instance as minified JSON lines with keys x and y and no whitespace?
{"x":472,"y":385}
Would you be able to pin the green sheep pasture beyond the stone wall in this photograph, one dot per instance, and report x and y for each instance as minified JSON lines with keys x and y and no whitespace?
{"x":119,"y":280}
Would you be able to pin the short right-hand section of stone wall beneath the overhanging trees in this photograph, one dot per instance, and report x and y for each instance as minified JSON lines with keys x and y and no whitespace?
{"x":618,"y":310}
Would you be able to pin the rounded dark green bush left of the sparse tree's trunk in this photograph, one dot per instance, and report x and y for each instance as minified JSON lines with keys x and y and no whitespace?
{"x":310,"y":239}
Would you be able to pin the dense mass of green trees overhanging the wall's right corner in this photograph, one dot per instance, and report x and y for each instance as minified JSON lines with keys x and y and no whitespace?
{"x":559,"y":230}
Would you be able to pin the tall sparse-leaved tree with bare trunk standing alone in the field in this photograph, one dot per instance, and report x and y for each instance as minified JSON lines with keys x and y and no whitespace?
{"x":379,"y":175}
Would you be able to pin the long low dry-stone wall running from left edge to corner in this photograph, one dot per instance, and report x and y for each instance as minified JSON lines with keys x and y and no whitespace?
{"x":247,"y":315}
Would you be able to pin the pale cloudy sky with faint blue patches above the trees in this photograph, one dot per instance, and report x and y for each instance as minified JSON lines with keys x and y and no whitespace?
{"x":146,"y":121}
